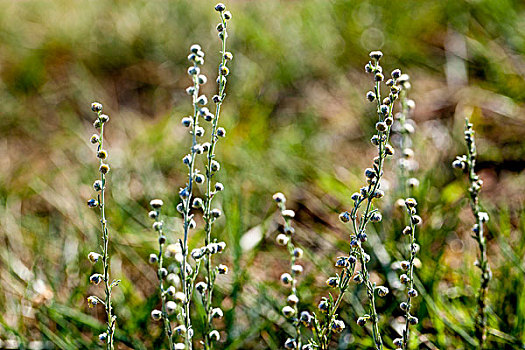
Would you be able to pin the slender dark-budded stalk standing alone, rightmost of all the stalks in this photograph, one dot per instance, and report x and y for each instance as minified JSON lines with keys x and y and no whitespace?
{"x":468,"y":164}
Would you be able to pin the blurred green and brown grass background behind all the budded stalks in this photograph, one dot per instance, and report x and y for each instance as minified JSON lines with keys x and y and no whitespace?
{"x":297,"y":122}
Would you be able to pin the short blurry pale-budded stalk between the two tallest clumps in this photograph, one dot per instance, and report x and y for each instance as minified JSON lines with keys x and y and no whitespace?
{"x":288,"y":279}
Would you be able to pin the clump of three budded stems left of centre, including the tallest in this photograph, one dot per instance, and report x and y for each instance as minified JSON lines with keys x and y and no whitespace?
{"x":189,"y":201}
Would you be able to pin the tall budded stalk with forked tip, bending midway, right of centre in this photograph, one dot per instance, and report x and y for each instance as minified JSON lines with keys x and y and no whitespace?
{"x":367,"y":194}
